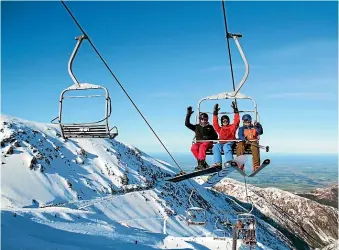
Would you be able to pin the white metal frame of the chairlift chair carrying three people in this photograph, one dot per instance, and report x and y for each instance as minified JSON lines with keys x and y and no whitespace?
{"x":233,"y":95}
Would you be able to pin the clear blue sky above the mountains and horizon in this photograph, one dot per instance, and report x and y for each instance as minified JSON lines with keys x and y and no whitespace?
{"x":169,"y":55}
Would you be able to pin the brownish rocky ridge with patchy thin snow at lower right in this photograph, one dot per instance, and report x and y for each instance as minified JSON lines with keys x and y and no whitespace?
{"x":310,"y":221}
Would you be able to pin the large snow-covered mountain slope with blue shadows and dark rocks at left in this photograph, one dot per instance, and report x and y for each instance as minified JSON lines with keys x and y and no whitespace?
{"x":103,"y":194}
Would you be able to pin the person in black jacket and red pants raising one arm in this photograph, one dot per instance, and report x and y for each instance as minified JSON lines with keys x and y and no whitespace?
{"x":203,"y":131}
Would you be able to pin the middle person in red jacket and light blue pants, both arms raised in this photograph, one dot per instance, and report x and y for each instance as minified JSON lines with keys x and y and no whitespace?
{"x":226,"y":132}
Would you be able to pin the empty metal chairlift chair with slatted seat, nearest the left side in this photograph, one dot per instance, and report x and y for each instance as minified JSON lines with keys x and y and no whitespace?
{"x":98,"y":129}
